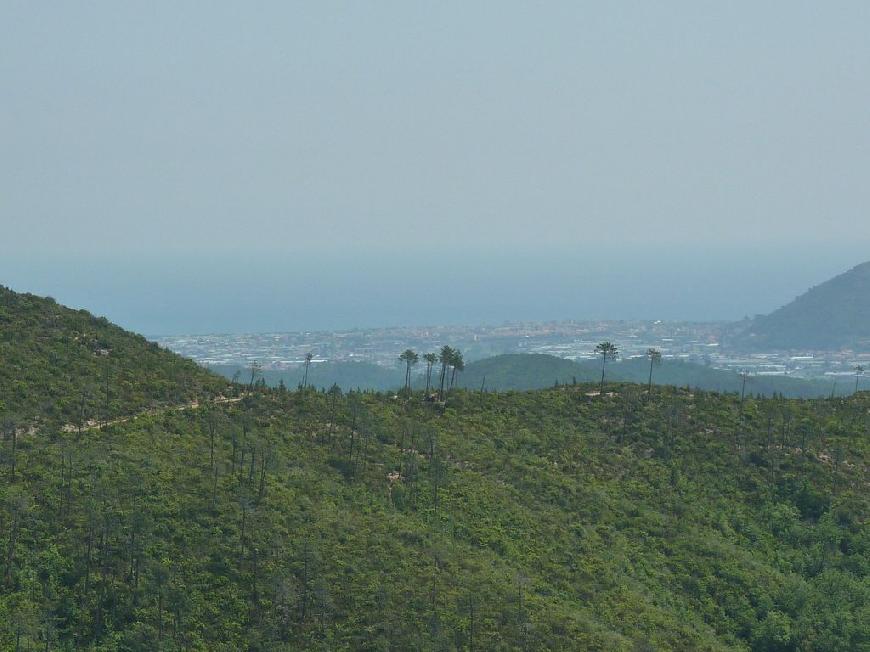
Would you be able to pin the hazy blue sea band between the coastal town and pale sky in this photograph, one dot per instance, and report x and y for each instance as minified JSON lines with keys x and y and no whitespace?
{"x":324,"y":289}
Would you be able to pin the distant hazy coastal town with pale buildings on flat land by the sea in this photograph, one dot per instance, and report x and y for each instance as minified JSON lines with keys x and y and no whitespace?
{"x":697,"y":342}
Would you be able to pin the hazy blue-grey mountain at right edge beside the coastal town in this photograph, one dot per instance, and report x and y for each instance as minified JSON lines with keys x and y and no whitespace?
{"x":833,"y":315}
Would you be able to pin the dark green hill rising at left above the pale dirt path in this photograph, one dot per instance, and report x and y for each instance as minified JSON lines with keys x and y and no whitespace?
{"x":54,"y":363}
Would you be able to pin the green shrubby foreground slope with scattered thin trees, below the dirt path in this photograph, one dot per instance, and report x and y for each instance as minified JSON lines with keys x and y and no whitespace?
{"x":562,"y":522}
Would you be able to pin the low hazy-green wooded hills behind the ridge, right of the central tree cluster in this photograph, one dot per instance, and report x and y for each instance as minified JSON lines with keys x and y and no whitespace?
{"x":535,"y":371}
